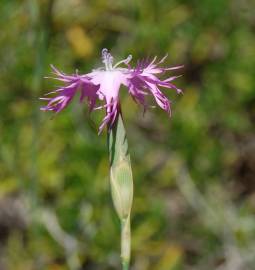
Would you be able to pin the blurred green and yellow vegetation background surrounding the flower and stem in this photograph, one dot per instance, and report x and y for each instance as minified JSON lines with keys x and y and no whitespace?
{"x":194,"y":174}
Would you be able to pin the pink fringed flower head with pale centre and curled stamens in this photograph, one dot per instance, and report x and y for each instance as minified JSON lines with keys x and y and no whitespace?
{"x":104,"y":84}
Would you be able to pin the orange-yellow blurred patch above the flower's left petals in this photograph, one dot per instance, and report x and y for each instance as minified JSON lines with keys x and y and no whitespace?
{"x":81,"y":43}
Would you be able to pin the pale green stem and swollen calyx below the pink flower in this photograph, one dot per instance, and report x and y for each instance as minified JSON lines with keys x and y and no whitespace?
{"x":121,"y":182}
